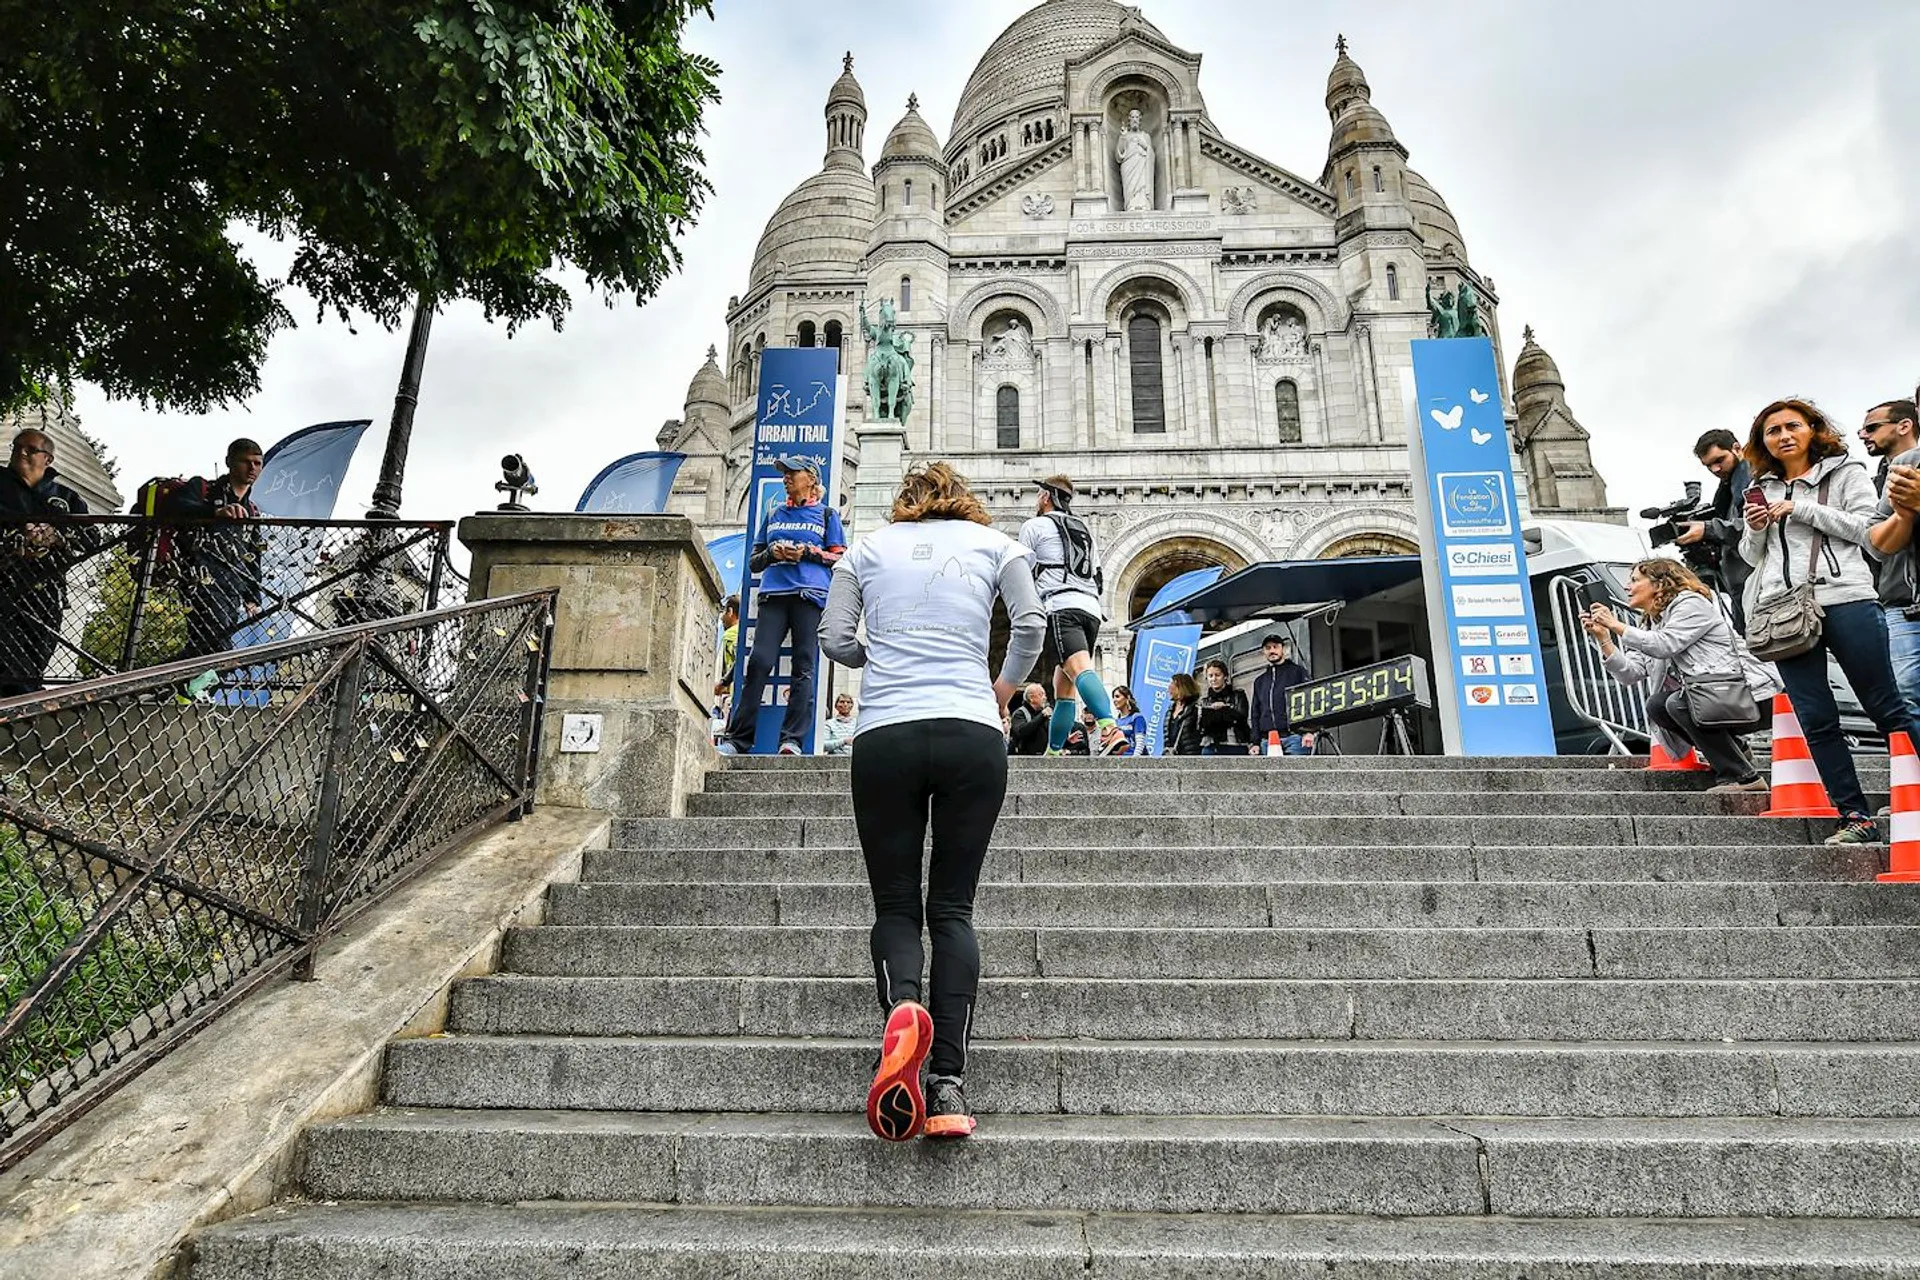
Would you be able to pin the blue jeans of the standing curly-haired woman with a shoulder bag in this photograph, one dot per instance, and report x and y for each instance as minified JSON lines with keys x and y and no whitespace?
{"x":1858,"y":638}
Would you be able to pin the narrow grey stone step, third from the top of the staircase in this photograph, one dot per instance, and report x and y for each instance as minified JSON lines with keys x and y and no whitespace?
{"x":1356,"y":805}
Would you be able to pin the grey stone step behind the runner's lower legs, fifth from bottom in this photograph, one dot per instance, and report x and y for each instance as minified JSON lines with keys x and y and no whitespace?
{"x":842,"y":951}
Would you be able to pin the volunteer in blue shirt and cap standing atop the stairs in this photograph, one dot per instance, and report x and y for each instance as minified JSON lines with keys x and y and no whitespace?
{"x":800,"y":544}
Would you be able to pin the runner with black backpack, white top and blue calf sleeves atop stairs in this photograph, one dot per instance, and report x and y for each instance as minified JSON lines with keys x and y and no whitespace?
{"x":1067,"y":567}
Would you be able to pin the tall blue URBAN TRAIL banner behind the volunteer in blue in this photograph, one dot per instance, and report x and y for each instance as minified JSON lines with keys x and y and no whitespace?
{"x":798,"y":419}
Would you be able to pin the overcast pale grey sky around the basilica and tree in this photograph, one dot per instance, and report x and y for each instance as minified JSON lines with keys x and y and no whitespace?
{"x":1698,"y":206}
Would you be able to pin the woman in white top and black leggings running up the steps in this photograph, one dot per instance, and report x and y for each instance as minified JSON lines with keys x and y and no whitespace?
{"x":930,"y":749}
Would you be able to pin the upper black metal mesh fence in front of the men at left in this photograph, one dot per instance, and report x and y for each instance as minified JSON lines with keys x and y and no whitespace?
{"x":93,"y":596}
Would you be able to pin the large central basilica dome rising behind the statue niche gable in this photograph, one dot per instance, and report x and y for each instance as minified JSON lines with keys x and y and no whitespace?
{"x":1028,"y":64}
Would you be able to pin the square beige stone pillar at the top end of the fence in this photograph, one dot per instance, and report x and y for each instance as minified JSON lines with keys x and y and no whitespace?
{"x":633,"y":642}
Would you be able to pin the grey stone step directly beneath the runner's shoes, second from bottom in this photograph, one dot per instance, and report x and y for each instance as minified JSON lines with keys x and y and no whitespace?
{"x":1527,"y":1168}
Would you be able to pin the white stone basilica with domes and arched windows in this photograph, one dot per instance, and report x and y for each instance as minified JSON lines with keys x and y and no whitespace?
{"x":1099,"y":283}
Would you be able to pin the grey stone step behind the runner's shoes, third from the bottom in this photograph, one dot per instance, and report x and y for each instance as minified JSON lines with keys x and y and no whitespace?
{"x":1203,"y":1078}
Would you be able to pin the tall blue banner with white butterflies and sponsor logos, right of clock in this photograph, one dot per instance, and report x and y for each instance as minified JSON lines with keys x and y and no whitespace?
{"x":1489,"y":676}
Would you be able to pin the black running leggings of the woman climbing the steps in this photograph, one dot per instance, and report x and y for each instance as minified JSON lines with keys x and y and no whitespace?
{"x":953,"y":772}
